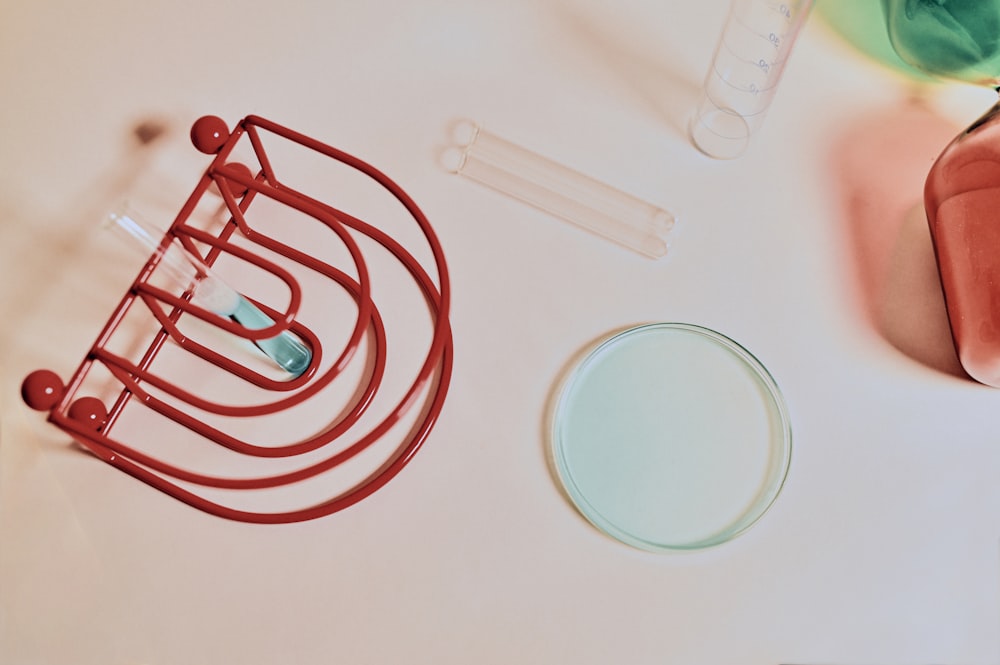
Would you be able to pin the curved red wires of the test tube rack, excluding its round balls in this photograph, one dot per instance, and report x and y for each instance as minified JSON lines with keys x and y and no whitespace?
{"x":431,"y":382}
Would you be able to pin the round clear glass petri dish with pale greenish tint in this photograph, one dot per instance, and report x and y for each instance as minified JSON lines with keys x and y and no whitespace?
{"x":671,"y":436}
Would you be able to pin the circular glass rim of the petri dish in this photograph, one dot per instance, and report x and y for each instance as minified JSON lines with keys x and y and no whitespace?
{"x":781,"y":440}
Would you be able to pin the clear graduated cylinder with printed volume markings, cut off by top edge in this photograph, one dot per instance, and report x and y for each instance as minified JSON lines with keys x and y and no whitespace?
{"x":749,"y":60}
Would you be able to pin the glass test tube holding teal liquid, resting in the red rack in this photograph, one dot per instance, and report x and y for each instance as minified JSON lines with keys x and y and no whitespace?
{"x":211,"y":292}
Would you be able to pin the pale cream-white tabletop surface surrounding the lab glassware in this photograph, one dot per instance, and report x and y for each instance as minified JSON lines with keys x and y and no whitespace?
{"x":884,"y":546}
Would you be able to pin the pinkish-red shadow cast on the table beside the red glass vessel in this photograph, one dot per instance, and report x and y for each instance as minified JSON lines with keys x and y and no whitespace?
{"x":879,"y":164}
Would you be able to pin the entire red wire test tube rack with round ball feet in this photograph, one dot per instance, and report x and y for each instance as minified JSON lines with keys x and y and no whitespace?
{"x":184,"y":408}
